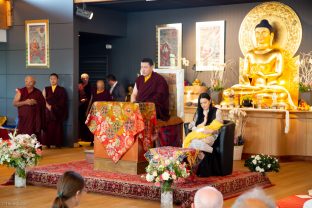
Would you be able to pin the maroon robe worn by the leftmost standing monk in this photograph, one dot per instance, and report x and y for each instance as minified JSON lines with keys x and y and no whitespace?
{"x":31,"y":117}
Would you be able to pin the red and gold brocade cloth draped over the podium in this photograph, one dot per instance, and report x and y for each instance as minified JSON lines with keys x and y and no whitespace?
{"x":118,"y":124}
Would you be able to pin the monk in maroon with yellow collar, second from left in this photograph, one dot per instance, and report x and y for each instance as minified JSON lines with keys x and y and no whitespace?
{"x":56,"y":112}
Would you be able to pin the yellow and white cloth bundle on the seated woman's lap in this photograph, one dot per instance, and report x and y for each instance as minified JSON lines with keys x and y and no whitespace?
{"x":199,"y":139}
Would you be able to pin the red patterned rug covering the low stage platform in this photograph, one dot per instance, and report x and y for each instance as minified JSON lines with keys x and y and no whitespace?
{"x":134,"y":186}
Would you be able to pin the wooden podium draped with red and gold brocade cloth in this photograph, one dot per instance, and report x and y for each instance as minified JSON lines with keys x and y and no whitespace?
{"x":123,"y":132}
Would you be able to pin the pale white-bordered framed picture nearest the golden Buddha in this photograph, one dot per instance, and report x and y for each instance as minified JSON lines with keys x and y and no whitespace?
{"x":210,"y":45}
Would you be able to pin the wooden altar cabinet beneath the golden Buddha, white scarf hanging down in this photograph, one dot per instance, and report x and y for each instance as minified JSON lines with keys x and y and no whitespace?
{"x":287,"y":135}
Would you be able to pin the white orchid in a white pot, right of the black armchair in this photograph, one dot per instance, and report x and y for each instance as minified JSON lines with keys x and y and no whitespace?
{"x":238,"y":116}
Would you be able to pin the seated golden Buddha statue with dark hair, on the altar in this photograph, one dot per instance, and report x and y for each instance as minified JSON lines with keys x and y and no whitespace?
{"x":261,"y":73}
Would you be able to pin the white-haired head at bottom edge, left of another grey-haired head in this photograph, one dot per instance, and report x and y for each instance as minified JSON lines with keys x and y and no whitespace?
{"x":208,"y":197}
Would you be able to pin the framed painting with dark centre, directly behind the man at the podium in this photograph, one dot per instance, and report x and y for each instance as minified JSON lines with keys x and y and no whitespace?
{"x":169,"y":46}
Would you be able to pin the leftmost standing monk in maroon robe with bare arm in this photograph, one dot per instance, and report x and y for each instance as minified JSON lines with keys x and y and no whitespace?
{"x":31,"y":109}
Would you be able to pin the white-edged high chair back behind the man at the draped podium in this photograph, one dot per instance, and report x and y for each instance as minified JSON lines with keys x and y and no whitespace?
{"x":175,"y":81}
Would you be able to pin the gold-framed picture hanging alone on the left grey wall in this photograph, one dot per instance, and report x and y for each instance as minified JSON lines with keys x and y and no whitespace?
{"x":37,"y":43}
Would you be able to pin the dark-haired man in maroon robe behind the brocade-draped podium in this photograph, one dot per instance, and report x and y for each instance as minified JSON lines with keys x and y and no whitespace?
{"x":152,"y":87}
